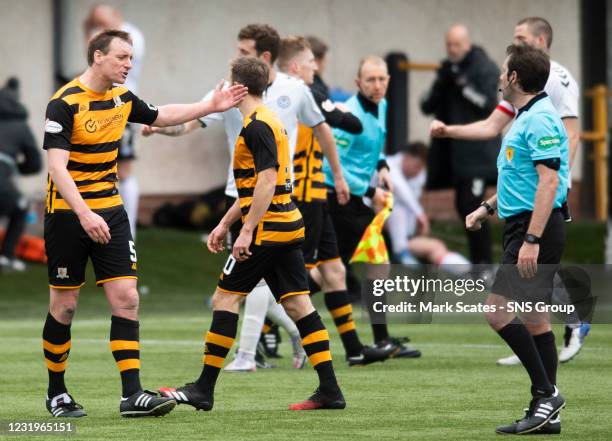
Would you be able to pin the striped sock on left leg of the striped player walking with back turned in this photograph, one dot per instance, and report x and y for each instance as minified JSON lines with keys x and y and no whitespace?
{"x":218,"y":342}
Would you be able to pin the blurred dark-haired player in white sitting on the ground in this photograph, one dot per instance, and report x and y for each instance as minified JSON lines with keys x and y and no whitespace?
{"x":408,"y":225}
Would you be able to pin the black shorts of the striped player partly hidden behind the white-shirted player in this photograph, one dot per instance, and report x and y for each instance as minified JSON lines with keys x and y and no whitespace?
{"x":320,"y":244}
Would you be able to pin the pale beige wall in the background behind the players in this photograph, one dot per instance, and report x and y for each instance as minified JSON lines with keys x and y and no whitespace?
{"x":190,"y":43}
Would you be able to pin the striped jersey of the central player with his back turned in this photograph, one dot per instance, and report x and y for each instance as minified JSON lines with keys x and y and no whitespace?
{"x":262,"y":144}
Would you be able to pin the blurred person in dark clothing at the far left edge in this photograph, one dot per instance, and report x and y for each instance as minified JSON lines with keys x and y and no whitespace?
{"x":18,"y":155}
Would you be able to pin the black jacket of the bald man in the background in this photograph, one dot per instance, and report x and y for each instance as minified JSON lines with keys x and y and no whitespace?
{"x":462,"y":93}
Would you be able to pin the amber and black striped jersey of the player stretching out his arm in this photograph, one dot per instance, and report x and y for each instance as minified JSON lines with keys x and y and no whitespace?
{"x":90,"y":125}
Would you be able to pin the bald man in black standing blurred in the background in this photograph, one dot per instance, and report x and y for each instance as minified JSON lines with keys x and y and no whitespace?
{"x":465,"y":90}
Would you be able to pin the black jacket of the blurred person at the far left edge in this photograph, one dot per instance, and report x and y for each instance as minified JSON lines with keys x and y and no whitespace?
{"x":19,"y":152}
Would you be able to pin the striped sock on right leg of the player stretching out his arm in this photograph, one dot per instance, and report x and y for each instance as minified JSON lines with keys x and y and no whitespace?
{"x":125,"y":345}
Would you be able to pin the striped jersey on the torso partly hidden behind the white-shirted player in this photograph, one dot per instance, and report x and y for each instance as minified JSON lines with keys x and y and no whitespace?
{"x":309,"y":180}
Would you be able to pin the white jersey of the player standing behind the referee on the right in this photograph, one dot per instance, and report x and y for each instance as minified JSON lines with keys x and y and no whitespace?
{"x":562,"y":89}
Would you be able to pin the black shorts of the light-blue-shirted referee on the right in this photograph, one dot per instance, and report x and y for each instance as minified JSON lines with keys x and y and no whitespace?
{"x":508,"y":282}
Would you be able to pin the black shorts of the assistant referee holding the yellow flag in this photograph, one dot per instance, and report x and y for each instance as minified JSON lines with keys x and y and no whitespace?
{"x":350,"y":222}
